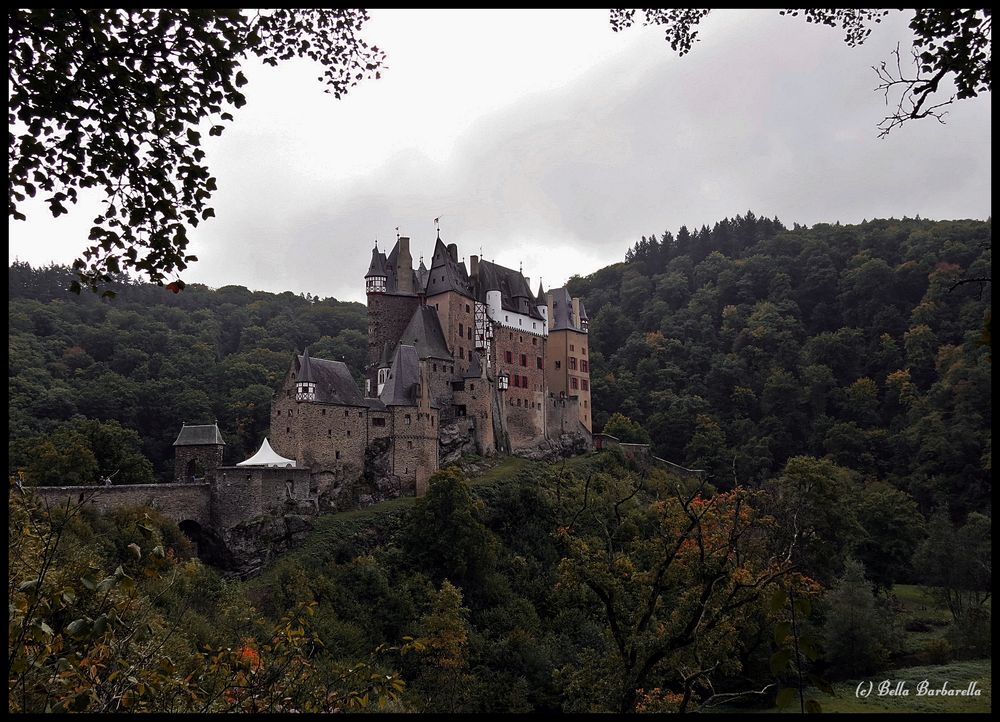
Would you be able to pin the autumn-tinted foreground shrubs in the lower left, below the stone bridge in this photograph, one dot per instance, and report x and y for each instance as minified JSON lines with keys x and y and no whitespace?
{"x":137,"y":639}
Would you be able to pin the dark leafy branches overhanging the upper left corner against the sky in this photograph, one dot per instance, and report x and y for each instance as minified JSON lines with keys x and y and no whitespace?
{"x":115,"y":99}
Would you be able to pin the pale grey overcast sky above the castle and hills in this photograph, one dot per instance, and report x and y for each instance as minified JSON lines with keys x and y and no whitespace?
{"x":545,"y":139}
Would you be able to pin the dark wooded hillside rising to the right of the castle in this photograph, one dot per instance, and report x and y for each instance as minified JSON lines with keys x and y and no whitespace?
{"x":741,"y":346}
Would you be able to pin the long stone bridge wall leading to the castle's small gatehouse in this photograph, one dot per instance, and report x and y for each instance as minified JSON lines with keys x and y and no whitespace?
{"x":180,"y":502}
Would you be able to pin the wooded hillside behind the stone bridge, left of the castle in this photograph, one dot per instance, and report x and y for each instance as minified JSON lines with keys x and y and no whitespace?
{"x":148,"y":360}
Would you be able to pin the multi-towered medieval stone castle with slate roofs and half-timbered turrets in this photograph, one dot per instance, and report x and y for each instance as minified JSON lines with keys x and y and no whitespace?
{"x":459,"y":360}
